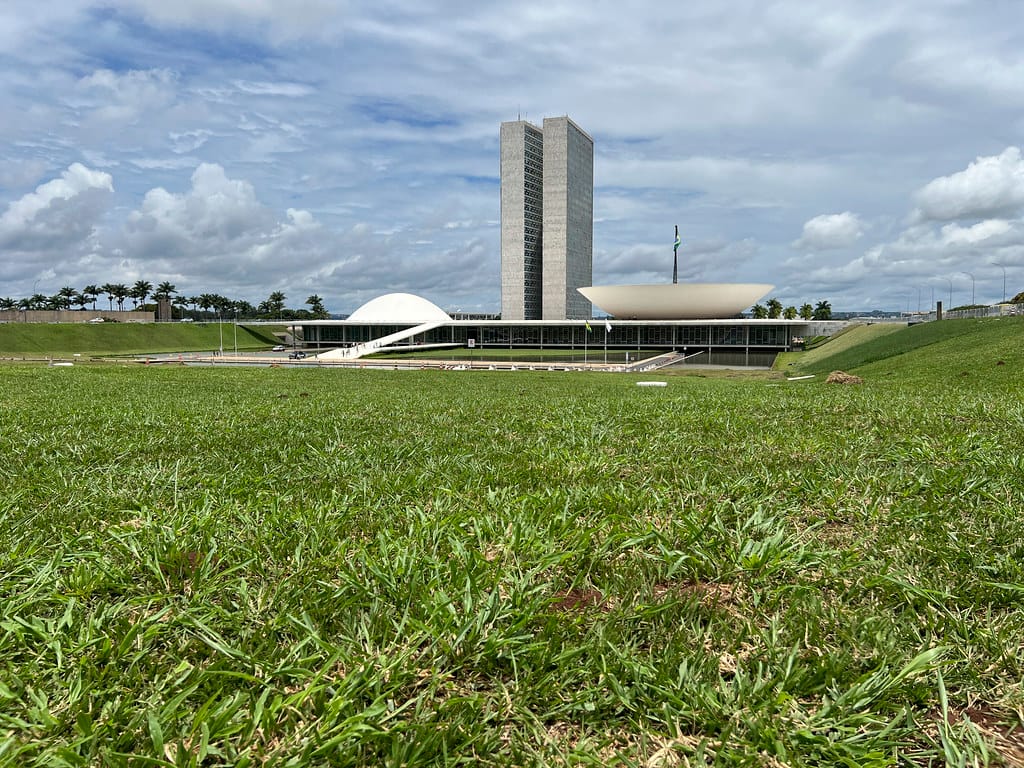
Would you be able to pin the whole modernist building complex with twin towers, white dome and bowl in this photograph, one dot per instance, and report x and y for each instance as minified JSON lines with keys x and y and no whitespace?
{"x":547,"y":231}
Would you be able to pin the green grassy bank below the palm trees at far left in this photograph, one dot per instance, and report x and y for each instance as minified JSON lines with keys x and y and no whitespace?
{"x":40,"y":340}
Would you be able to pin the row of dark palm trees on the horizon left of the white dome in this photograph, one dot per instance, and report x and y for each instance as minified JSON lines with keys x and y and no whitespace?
{"x":204,"y":307}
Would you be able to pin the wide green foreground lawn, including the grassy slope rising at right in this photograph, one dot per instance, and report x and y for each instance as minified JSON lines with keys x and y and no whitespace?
{"x":283,"y":567}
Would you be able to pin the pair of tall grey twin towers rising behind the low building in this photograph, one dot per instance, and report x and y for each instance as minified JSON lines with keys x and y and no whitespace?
{"x":547,"y":220}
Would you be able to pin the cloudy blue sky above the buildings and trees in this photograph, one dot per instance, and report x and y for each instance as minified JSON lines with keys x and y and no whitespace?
{"x":864,"y":153}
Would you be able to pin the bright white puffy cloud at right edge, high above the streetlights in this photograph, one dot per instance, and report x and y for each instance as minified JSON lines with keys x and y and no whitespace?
{"x":991,"y":187}
